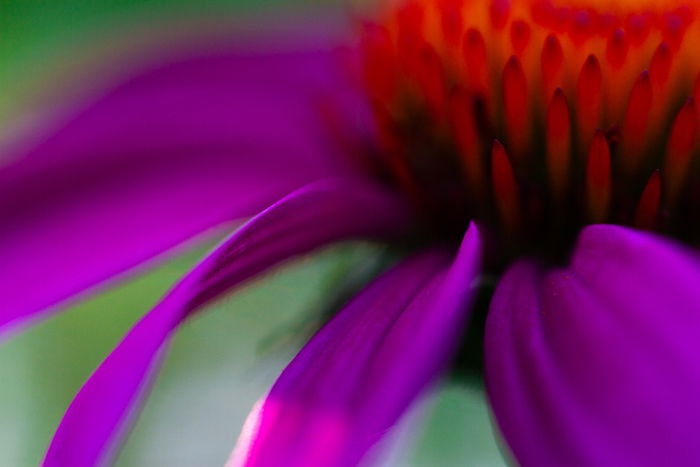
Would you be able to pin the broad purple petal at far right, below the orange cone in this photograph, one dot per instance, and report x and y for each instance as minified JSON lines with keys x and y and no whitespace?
{"x":599,"y":363}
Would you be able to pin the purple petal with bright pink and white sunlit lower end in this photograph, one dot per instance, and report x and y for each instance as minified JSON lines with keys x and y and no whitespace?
{"x":355,"y":378}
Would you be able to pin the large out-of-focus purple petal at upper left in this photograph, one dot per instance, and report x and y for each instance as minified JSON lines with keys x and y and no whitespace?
{"x":162,"y":157}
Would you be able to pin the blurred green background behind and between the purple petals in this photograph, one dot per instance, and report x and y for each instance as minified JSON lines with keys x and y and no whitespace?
{"x":226,"y":357}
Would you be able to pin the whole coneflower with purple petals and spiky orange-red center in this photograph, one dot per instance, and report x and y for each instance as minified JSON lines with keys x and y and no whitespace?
{"x":548,"y":144}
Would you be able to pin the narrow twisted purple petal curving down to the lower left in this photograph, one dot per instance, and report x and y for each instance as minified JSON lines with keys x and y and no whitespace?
{"x":310,"y":217}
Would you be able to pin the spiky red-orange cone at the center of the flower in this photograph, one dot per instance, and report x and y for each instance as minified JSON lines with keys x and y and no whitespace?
{"x":538,"y":117}
